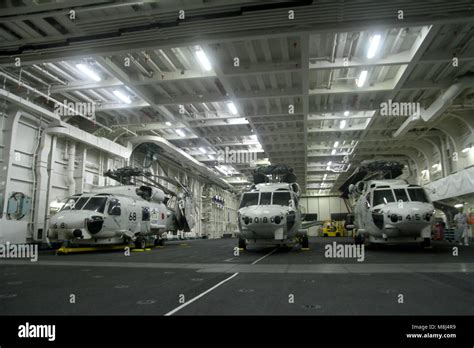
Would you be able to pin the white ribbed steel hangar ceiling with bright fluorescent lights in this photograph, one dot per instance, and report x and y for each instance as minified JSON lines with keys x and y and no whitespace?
{"x":305,"y":91}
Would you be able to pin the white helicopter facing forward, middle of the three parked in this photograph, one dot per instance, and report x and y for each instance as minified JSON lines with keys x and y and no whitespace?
{"x":269,"y":213}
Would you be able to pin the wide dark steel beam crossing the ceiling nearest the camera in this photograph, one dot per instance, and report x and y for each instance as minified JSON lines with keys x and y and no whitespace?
{"x":139,"y":41}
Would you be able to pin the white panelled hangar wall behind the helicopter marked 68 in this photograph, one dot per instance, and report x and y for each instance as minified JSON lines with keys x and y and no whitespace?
{"x":44,"y":168}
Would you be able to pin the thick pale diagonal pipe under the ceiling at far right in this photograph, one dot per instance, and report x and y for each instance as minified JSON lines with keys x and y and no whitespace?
{"x":439,"y":106}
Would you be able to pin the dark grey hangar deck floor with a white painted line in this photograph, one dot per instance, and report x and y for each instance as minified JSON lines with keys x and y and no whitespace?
{"x":432,"y":281}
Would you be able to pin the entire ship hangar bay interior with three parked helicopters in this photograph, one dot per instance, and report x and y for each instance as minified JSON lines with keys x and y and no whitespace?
{"x":236,"y":157}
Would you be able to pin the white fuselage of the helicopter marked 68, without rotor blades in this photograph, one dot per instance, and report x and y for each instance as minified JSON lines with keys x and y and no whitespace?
{"x":108,"y":218}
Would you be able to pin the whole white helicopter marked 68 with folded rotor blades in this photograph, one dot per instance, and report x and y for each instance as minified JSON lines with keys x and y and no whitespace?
{"x":123,"y":214}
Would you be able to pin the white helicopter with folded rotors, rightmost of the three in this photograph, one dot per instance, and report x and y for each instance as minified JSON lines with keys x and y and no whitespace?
{"x":387,"y":210}
